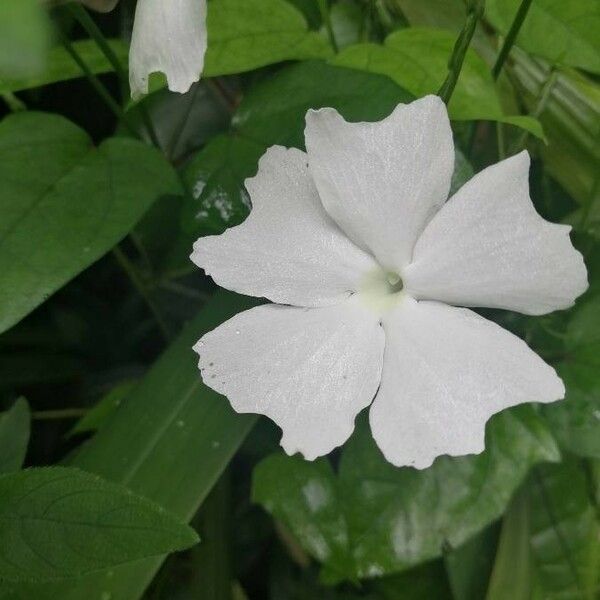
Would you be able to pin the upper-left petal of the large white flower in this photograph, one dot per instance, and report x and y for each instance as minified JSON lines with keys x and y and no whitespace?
{"x":288,"y":249}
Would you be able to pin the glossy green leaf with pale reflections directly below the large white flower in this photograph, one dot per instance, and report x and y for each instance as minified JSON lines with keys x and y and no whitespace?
{"x":374,"y":519}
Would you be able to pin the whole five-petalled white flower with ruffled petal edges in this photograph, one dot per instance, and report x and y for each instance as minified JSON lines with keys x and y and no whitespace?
{"x":357,"y":237}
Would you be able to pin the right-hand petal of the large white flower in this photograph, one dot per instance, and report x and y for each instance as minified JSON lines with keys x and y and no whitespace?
{"x":488,"y":247}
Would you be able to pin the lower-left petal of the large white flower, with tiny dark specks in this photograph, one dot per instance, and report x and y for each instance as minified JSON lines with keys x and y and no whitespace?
{"x":310,"y":370}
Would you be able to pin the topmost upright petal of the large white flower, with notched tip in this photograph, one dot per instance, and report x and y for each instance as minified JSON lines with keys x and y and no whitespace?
{"x":382,"y":182}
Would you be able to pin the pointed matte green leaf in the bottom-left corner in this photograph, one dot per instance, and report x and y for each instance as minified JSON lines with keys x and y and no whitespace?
{"x":59,"y":522}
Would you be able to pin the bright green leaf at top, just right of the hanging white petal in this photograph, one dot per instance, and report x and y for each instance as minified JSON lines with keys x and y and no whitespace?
{"x":247,"y":34}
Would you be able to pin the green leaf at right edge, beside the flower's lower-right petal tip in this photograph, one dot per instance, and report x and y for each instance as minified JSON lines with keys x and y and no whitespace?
{"x":576,"y":420}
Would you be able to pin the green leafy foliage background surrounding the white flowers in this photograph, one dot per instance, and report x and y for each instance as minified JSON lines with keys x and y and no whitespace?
{"x":100,"y":201}
